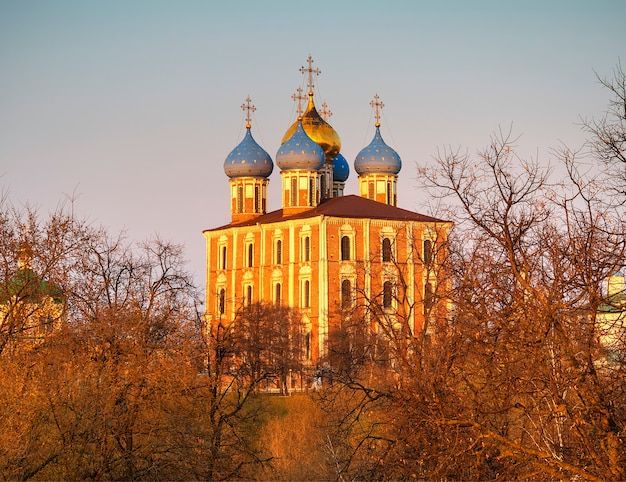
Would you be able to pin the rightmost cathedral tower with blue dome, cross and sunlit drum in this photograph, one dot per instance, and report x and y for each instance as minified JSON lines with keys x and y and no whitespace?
{"x":378,"y":166}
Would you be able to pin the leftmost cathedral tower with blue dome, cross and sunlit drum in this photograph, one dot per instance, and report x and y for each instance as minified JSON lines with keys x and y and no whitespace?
{"x":248,"y":166}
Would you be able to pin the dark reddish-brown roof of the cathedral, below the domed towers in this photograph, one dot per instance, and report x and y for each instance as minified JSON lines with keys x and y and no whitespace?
{"x":350,"y":206}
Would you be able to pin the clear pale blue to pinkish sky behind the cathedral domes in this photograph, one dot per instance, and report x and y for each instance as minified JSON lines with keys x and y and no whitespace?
{"x":129,"y":108}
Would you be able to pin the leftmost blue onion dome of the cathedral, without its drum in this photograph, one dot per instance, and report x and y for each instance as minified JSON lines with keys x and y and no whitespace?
{"x":248,"y":159}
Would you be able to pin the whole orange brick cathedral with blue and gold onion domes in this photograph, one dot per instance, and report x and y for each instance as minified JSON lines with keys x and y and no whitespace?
{"x":324,"y":252}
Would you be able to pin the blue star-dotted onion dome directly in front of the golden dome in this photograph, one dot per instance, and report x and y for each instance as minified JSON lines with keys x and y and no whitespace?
{"x":300,"y":152}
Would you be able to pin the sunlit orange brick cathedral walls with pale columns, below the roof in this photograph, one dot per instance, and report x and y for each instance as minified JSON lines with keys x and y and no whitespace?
{"x":319,"y":264}
